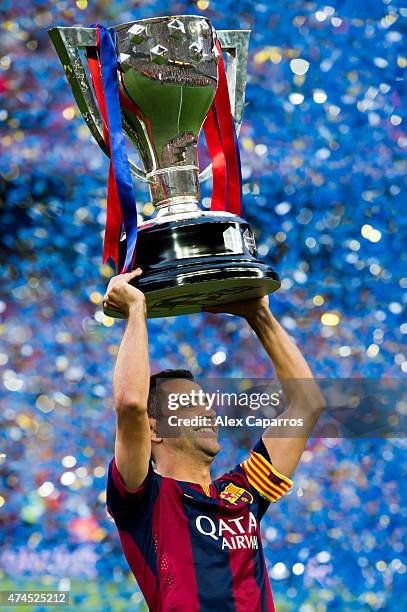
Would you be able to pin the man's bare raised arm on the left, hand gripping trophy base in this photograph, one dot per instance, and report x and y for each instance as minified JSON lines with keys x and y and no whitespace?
{"x":131,"y":380}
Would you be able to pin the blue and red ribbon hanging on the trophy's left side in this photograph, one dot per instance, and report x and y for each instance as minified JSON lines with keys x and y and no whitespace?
{"x":121,"y":206}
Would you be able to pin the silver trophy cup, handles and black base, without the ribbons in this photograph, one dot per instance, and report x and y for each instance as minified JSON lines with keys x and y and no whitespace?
{"x":168,"y":68}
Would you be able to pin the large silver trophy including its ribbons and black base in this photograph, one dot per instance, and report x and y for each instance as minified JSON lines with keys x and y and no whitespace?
{"x":158,"y":82}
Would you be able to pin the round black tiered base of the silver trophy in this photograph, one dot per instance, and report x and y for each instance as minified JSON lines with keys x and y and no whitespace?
{"x":192,"y":263}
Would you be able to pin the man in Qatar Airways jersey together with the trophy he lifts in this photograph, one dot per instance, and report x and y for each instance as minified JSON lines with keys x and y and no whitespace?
{"x":192,"y":543}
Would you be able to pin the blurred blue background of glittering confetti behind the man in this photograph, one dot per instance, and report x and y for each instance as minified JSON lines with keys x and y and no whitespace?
{"x":323,"y":148}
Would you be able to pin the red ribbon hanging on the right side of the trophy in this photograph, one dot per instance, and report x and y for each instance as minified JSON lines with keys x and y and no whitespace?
{"x":223,"y":148}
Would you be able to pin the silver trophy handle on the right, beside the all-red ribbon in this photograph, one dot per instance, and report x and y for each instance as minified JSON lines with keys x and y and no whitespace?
{"x":236,"y":45}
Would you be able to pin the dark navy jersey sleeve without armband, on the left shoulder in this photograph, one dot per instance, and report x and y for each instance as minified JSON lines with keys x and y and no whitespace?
{"x":124,"y":505}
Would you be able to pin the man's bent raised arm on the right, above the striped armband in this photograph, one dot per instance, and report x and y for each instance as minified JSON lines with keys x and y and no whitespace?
{"x":303,"y":397}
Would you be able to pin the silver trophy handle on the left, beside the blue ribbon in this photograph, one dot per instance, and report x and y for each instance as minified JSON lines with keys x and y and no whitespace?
{"x":67,"y":43}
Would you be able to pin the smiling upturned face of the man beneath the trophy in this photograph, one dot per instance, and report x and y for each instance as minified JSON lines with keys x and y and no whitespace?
{"x":184,"y":402}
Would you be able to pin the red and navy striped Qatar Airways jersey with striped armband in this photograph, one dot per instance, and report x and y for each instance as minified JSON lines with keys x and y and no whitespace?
{"x":190,"y":551}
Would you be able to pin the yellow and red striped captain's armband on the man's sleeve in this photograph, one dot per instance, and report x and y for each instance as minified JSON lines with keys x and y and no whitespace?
{"x":264,"y":477}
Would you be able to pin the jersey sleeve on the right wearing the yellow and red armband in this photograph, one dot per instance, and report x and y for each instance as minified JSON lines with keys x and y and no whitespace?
{"x":267,"y":484}
